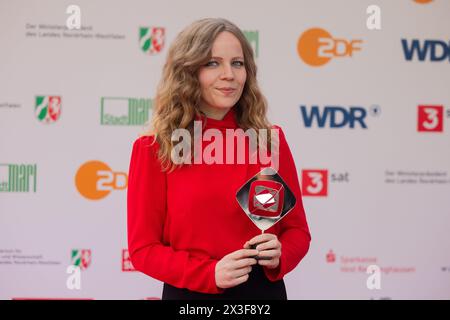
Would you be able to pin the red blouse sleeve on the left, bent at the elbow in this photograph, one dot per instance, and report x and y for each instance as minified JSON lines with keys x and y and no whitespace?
{"x":146,"y":219}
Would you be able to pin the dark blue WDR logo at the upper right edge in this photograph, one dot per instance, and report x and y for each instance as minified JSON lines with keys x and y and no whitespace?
{"x":432,"y":50}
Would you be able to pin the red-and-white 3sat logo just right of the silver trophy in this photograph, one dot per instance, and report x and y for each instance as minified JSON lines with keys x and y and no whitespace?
{"x":315,"y":182}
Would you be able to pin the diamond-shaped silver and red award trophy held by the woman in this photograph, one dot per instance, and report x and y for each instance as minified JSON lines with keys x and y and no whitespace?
{"x":266,"y":199}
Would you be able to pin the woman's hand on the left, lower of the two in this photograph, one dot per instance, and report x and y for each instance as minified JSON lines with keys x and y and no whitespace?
{"x":233,"y":269}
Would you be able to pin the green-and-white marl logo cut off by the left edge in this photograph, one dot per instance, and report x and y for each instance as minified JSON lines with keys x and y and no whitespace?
{"x":18,"y":177}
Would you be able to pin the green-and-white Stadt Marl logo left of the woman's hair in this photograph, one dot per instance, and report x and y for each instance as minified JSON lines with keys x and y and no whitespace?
{"x":124,"y":111}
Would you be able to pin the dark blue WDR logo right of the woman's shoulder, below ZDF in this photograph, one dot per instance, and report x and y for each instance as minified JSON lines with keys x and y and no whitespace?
{"x":336,"y":116}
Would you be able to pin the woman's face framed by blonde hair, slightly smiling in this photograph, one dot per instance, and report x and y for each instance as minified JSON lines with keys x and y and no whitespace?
{"x":222,"y":79}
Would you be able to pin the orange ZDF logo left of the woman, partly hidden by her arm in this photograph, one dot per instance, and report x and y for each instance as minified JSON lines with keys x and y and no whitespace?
{"x":95,"y":180}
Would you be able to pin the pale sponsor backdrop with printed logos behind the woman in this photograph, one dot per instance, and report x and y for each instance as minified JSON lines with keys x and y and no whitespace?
{"x":366,"y":111}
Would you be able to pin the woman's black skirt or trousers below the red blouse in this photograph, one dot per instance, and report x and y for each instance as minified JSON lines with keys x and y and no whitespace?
{"x":257,"y":287}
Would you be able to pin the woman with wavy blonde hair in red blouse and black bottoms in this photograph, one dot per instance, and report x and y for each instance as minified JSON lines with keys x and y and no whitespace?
{"x":185,"y":227}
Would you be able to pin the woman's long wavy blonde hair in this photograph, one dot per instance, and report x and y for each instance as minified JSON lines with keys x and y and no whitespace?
{"x":178,"y":95}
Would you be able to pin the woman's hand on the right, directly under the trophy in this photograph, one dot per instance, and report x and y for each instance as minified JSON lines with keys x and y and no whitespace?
{"x":269,"y":247}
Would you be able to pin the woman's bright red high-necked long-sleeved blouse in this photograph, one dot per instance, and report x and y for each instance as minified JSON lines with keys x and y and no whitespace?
{"x":180,"y":224}
